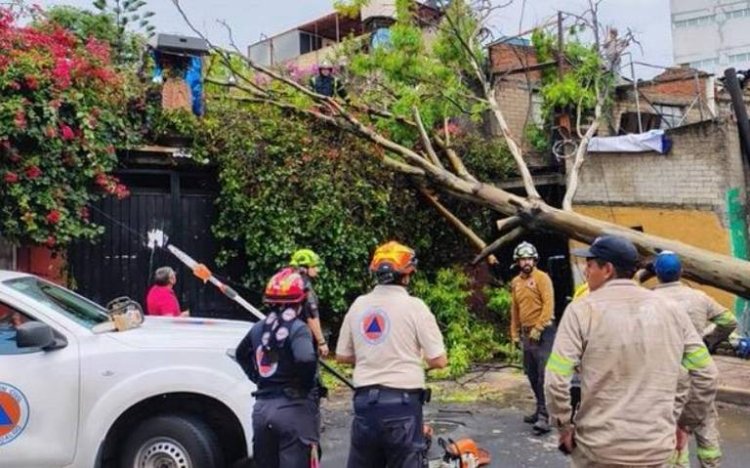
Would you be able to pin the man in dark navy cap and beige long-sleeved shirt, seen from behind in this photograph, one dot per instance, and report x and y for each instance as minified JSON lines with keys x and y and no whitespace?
{"x":630,"y":343}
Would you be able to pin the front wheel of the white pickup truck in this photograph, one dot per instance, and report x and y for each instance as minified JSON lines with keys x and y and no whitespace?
{"x":172,"y":441}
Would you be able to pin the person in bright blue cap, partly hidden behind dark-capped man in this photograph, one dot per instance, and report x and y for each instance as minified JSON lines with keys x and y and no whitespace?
{"x":703,"y":311}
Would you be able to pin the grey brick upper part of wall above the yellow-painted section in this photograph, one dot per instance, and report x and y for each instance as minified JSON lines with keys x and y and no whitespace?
{"x":704,"y":163}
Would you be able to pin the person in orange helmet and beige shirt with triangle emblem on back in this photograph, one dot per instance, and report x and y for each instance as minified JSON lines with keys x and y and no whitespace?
{"x":388,"y":335}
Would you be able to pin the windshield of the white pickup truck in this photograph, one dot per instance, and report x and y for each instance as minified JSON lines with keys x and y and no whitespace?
{"x":66,"y":302}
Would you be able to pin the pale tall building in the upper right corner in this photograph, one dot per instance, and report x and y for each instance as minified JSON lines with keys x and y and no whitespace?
{"x":711,"y":35}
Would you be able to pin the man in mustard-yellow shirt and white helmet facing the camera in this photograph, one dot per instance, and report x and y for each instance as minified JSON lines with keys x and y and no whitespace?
{"x":531,"y":322}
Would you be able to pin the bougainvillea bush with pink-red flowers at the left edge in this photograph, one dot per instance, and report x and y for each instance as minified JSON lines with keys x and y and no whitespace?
{"x":59,"y":124}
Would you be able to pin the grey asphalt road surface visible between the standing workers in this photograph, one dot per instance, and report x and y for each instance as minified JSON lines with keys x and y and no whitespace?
{"x":508,"y":439}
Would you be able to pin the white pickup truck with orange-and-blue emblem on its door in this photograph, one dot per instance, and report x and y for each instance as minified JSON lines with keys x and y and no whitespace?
{"x":76,"y":392}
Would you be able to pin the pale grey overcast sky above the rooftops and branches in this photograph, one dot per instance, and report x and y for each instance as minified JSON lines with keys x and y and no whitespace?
{"x":649,"y":19}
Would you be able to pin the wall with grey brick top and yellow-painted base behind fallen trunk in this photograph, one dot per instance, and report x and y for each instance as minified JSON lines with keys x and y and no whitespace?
{"x":696,"y":194}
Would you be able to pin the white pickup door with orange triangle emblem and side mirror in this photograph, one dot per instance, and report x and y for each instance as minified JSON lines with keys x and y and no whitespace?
{"x":39,"y":395}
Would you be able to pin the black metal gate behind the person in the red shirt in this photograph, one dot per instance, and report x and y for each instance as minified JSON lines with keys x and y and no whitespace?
{"x":120,"y":263}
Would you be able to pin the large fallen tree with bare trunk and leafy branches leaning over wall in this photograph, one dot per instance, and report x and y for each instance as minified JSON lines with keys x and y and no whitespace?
{"x":429,"y":158}
